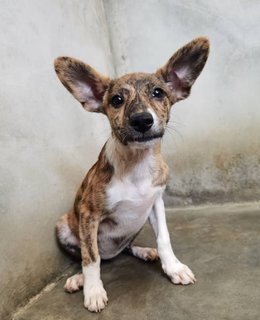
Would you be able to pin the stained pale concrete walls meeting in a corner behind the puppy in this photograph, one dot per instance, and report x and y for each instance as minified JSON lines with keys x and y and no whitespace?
{"x":48,"y":141}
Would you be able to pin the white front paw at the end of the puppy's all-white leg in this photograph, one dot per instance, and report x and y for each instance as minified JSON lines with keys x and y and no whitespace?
{"x":179,"y":273}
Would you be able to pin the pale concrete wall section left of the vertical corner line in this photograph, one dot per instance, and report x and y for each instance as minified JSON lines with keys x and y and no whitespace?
{"x":47,"y":140}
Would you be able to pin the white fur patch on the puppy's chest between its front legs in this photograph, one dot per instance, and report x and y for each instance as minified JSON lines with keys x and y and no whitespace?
{"x":131,"y":198}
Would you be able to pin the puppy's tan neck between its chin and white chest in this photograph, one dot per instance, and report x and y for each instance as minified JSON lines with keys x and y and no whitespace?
{"x":125,"y":157}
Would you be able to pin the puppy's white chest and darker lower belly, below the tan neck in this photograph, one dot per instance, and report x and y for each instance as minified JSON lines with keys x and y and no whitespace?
{"x":129,"y":204}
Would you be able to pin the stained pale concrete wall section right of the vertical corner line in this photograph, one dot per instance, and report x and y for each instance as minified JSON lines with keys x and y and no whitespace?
{"x":213,"y":140}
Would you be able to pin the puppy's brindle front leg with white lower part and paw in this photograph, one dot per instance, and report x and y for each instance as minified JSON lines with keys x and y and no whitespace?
{"x":95,"y":296}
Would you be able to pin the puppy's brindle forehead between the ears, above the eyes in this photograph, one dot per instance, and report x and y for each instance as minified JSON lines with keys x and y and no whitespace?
{"x":135,"y":81}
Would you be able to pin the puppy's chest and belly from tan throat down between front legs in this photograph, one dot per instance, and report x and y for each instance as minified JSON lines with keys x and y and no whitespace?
{"x":130,"y":196}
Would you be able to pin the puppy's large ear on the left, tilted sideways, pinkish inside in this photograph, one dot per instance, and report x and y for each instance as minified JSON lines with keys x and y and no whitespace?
{"x":85,"y":84}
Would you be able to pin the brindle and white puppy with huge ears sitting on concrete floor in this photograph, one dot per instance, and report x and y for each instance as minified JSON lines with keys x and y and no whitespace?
{"x":124,"y":187}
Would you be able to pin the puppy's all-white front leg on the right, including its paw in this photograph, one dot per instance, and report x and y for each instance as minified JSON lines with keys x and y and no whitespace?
{"x":178,"y":272}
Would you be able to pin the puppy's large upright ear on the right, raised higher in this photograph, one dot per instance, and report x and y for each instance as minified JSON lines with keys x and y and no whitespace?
{"x":183,"y":68}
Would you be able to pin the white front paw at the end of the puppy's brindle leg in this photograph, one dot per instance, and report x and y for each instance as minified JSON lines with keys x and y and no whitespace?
{"x":95,"y":297}
